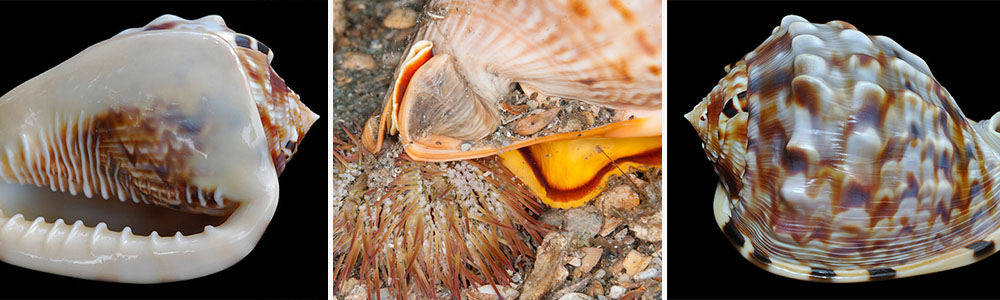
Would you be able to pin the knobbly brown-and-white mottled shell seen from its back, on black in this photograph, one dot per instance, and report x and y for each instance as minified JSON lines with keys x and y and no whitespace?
{"x":842,"y":159}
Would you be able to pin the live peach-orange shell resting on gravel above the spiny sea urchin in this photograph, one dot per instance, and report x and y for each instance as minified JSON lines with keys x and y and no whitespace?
{"x":446,"y":102}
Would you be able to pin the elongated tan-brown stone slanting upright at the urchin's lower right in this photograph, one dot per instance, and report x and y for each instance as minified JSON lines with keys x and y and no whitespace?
{"x":548,"y":268}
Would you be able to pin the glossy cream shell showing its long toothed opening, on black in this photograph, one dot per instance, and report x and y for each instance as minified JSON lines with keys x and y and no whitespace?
{"x":185,"y":116}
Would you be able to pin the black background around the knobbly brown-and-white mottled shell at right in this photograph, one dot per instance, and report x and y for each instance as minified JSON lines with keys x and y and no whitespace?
{"x":958,"y":42}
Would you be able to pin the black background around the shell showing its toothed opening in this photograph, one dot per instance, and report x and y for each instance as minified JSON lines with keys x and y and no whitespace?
{"x":290,"y":261}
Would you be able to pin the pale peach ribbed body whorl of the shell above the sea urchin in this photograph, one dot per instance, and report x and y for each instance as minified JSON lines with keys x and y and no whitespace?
{"x":600,"y":52}
